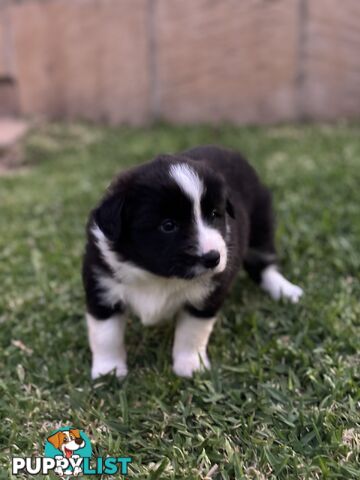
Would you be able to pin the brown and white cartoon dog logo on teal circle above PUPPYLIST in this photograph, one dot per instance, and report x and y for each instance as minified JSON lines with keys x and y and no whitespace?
{"x":68,"y":446}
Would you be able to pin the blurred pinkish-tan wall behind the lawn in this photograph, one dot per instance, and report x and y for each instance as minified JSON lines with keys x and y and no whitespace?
{"x":247,"y":61}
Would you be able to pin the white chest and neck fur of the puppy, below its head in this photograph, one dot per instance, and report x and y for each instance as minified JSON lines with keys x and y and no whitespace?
{"x":151,"y":297}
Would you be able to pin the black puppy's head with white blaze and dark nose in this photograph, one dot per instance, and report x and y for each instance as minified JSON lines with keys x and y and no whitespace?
{"x":169,"y":217}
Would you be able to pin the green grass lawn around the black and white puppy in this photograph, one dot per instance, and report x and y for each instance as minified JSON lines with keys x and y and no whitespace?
{"x":282,"y":399}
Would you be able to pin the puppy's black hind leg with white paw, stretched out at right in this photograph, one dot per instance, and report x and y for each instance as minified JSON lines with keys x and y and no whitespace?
{"x":260,"y":261}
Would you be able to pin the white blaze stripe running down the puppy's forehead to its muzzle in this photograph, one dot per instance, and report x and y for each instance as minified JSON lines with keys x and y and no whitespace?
{"x":208,"y":238}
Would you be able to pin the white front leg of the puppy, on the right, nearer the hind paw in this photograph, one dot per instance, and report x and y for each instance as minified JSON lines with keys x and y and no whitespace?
{"x":190,"y":344}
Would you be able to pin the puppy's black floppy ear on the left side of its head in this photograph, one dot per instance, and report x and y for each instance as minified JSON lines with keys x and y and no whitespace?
{"x":108,"y":216}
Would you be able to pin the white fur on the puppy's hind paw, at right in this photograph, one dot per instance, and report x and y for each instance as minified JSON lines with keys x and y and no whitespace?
{"x":273,"y":282}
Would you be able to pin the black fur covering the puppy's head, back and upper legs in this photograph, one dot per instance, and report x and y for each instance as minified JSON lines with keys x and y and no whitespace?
{"x":139,"y":200}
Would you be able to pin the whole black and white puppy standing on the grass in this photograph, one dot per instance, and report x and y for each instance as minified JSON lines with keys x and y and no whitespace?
{"x":167,"y":240}
